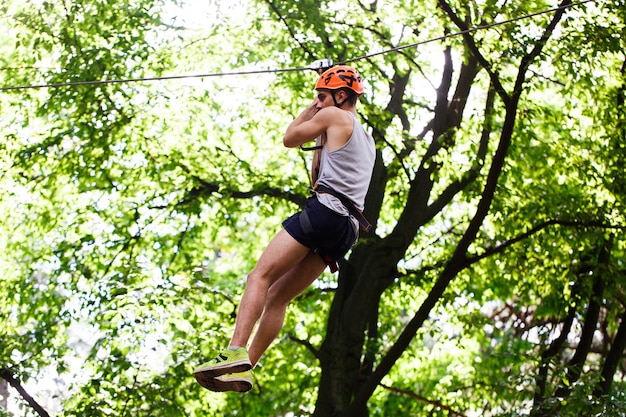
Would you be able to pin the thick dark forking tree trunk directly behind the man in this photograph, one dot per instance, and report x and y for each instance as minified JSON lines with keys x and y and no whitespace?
{"x":371,"y":268}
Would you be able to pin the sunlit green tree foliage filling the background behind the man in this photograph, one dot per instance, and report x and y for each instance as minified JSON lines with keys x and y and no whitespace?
{"x":133,"y":210}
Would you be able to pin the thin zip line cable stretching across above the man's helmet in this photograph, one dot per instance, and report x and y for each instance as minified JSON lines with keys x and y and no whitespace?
{"x":270,"y":71}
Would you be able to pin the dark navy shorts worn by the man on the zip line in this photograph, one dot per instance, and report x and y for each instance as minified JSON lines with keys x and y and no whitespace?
{"x":332,"y":234}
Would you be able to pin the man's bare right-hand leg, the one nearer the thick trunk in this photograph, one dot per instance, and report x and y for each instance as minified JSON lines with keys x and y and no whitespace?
{"x":280,"y":294}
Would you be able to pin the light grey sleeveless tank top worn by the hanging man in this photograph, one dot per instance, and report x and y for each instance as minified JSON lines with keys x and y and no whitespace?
{"x":348,"y":170}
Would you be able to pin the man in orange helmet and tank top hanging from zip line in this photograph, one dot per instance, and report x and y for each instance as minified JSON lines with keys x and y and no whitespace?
{"x":318,"y":236}
